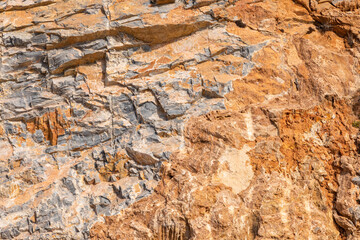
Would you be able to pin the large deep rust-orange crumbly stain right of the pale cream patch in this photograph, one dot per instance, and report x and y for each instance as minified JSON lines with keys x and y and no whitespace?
{"x":334,"y":127}
